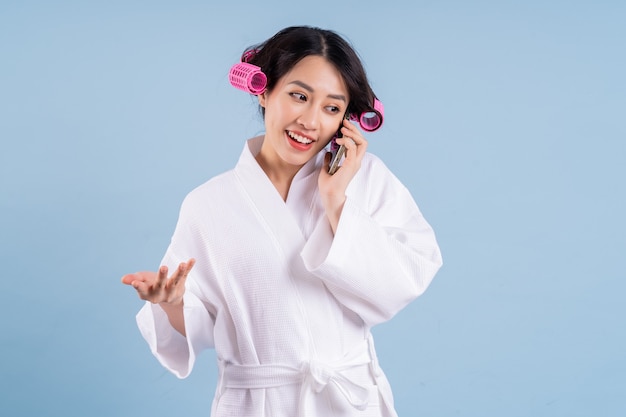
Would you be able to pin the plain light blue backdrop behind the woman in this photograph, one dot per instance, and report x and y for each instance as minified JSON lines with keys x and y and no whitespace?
{"x":505,"y":119}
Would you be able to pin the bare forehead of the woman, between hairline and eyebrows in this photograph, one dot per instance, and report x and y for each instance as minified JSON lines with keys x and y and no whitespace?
{"x":318,"y":73}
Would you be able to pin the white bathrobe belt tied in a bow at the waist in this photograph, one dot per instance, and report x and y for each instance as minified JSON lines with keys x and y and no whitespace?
{"x":313,"y":375}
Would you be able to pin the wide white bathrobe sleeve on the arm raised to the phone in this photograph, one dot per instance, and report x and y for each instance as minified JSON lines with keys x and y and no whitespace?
{"x":383,"y":255}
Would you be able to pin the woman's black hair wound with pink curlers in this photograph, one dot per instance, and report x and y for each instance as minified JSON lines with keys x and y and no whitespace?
{"x":280,"y":53}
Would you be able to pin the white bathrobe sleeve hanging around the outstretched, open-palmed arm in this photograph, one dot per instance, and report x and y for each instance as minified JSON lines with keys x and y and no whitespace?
{"x":174,"y":351}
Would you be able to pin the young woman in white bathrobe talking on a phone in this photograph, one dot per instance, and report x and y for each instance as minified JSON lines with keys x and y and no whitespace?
{"x":284,"y":268}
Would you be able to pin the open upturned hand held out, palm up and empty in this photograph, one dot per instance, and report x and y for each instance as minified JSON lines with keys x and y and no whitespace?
{"x":157,"y":288}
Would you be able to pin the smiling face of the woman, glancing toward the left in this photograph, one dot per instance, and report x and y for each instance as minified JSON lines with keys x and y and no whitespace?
{"x":303,"y":112}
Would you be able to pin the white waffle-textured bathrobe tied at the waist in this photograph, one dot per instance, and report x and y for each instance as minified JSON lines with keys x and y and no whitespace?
{"x":287,"y":305}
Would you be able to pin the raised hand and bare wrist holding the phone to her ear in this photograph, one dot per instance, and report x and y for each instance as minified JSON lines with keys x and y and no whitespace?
{"x":333,"y":187}
